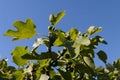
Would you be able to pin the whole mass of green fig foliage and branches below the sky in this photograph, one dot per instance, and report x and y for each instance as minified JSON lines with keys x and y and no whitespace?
{"x":74,"y":62}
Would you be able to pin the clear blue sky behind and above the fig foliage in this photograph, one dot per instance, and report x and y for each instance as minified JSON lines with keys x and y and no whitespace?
{"x":79,"y":14}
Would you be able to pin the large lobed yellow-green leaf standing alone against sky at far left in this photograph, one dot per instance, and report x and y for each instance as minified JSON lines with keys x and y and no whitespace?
{"x":25,"y":30}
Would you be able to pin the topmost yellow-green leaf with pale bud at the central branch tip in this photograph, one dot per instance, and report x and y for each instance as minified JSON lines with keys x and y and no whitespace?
{"x":55,"y":19}
